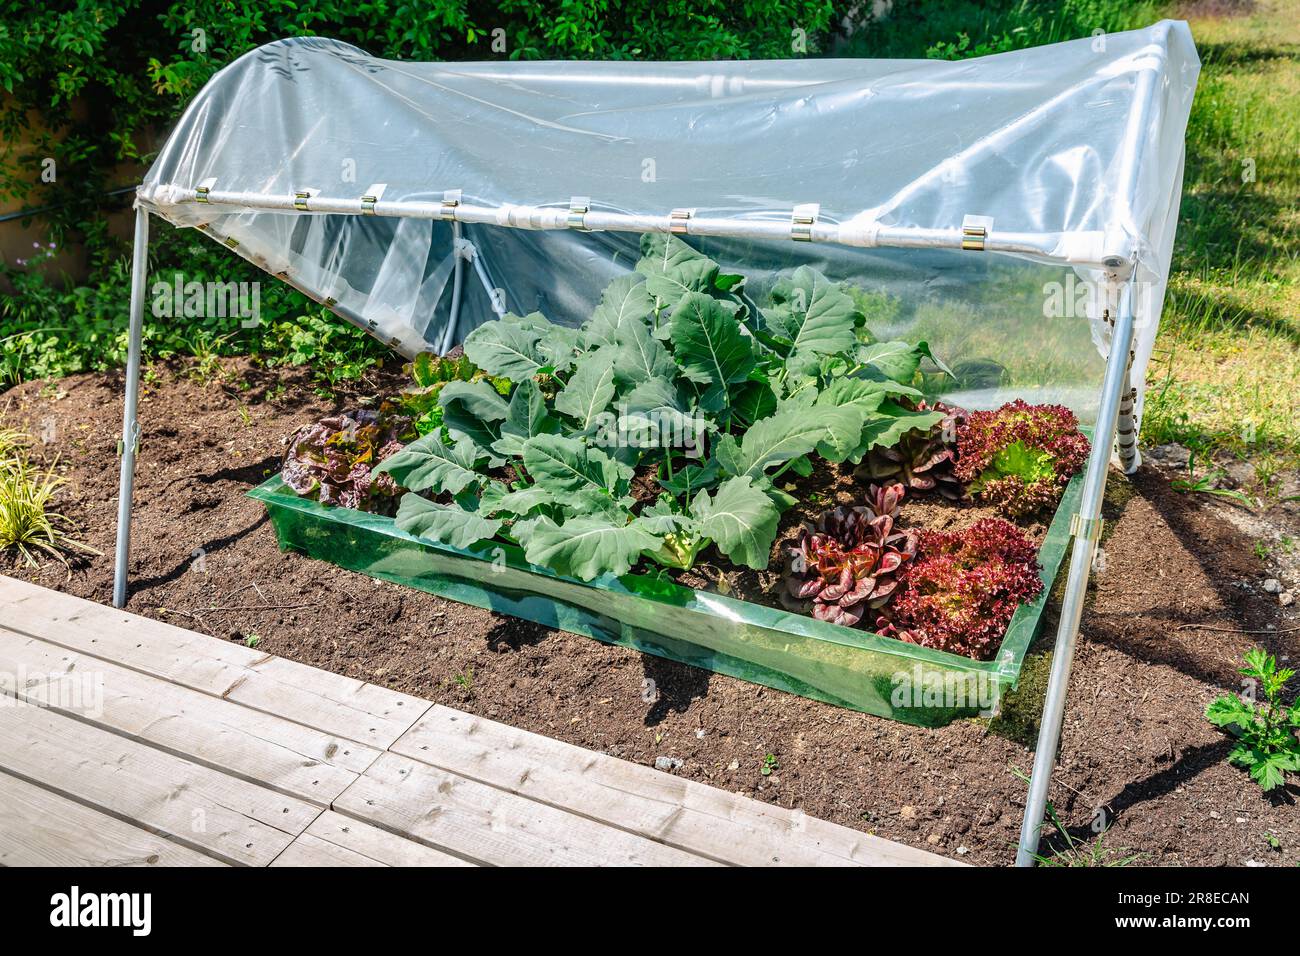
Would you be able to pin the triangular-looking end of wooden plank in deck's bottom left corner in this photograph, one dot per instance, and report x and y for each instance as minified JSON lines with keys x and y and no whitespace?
{"x":42,"y":829}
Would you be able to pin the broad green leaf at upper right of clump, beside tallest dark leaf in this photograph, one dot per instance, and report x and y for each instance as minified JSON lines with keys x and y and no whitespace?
{"x":814,"y":315}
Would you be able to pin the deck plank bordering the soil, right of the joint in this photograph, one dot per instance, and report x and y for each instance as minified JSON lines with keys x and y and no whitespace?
{"x":681,"y":814}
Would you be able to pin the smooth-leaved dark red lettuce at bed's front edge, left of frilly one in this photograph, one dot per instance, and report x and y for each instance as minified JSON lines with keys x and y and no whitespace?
{"x":850,"y":563}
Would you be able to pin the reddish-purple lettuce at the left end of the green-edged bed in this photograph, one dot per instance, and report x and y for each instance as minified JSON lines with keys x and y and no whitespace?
{"x":335,"y":458}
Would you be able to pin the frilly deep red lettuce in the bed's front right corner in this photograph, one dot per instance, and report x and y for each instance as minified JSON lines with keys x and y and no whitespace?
{"x":960,"y":592}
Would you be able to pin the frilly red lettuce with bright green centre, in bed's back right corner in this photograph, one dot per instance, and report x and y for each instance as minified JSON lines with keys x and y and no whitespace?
{"x":1021,"y":456}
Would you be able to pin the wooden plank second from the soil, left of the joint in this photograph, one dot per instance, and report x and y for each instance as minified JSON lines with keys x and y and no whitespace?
{"x":259,"y":747}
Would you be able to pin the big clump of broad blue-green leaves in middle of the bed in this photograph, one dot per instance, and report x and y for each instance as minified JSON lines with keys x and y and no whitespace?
{"x":678,"y":380}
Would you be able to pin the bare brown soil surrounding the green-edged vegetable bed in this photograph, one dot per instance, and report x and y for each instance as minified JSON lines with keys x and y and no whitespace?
{"x":1136,"y":745}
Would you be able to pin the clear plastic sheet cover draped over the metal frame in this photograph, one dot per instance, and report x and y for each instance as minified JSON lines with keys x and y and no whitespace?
{"x":1064,"y":142}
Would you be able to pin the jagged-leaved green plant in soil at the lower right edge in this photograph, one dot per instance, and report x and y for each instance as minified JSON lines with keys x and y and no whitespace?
{"x":1268,"y":730}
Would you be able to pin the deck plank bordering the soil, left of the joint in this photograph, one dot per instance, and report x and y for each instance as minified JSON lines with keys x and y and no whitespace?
{"x":332,"y":703}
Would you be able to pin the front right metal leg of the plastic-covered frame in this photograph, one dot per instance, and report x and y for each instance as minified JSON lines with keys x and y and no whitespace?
{"x":1086,"y":529}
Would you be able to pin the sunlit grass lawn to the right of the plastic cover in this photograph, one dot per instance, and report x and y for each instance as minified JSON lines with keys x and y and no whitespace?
{"x":1228,"y":362}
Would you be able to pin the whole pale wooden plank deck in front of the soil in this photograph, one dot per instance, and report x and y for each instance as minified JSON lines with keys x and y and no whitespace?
{"x":129,"y":742}
